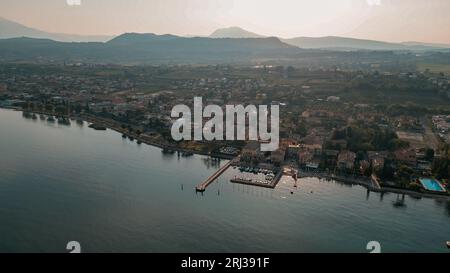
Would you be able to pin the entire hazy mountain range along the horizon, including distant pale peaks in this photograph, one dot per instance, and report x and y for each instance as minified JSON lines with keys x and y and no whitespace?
{"x":231,"y":45}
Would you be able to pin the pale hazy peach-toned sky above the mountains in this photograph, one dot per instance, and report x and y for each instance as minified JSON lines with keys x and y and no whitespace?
{"x":389,"y":20}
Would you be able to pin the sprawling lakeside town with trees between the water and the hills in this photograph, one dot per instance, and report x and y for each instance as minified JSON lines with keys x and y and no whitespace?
{"x":371,"y":125}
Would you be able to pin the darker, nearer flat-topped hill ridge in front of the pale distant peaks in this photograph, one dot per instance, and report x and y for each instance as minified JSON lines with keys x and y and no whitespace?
{"x":135,"y":48}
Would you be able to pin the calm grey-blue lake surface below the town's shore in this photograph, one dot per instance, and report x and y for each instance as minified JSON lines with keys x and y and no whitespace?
{"x":65,"y":183}
